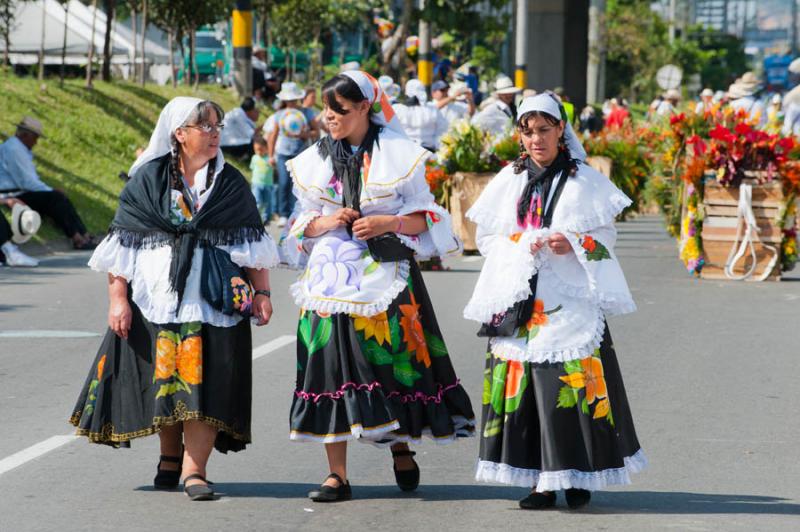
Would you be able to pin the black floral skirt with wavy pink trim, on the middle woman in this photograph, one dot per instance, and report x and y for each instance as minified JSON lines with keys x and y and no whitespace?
{"x":384,"y":379}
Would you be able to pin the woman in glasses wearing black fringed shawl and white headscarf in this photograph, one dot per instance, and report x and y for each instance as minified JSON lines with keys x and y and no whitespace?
{"x":183,"y":254}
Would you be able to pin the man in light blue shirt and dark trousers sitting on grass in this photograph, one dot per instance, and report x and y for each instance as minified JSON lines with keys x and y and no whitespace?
{"x":18,"y":179}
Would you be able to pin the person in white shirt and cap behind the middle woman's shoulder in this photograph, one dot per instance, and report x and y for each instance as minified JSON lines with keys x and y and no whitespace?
{"x":422,"y":122}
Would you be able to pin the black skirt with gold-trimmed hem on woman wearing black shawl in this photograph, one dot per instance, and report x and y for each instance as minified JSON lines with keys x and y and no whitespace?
{"x":165,"y":374}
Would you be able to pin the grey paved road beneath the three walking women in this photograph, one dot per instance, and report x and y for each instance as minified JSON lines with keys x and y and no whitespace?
{"x":710,"y":368}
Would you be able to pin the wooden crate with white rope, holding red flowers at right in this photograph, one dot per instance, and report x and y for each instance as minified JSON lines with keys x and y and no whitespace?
{"x":720,"y":228}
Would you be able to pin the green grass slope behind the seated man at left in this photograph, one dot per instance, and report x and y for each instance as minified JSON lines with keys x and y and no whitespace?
{"x":91,"y":135}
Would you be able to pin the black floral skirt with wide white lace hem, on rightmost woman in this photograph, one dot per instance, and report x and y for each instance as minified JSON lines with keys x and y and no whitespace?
{"x":558,"y":425}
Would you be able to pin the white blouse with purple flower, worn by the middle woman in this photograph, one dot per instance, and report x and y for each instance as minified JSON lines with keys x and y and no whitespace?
{"x":339,"y":273}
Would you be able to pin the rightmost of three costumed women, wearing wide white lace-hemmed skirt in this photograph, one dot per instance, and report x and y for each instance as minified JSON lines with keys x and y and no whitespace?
{"x":555,"y":413}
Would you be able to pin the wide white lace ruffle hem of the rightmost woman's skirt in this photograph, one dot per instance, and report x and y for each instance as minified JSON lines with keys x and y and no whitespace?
{"x":559,"y":480}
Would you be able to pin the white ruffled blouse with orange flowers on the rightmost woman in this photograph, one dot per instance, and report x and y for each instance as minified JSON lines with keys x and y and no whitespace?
{"x":575,"y":291}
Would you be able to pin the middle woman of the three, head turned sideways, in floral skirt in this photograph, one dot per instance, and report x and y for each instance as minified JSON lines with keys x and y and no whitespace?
{"x":371,"y":361}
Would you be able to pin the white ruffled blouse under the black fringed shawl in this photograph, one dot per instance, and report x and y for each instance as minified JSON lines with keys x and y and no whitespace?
{"x":148,"y":271}
